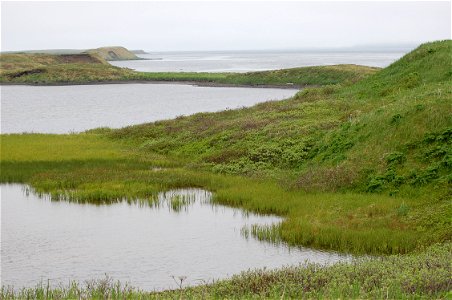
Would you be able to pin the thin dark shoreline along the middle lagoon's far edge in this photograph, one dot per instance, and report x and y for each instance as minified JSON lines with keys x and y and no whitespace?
{"x":193,"y":83}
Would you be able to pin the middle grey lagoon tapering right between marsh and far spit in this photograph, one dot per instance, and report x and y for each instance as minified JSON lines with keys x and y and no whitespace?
{"x":63,"y":109}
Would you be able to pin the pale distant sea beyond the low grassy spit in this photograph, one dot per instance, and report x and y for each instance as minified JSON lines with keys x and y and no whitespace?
{"x":245,"y":61}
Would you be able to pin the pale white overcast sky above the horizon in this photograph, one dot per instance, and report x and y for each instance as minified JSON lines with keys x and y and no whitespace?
{"x":215,"y":25}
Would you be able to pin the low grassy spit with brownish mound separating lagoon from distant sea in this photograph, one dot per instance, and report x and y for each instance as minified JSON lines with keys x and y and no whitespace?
{"x":58,"y":69}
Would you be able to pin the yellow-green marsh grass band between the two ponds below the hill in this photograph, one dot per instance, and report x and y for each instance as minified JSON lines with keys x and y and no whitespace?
{"x":90,"y":168}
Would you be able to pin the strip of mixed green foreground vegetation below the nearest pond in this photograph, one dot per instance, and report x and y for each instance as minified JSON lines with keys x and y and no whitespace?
{"x":421,"y":275}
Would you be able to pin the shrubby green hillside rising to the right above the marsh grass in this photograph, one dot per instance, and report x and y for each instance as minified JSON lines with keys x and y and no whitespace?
{"x":323,"y":127}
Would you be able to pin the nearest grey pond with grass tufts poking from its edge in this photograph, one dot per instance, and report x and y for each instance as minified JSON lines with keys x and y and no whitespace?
{"x":140,"y":243}
